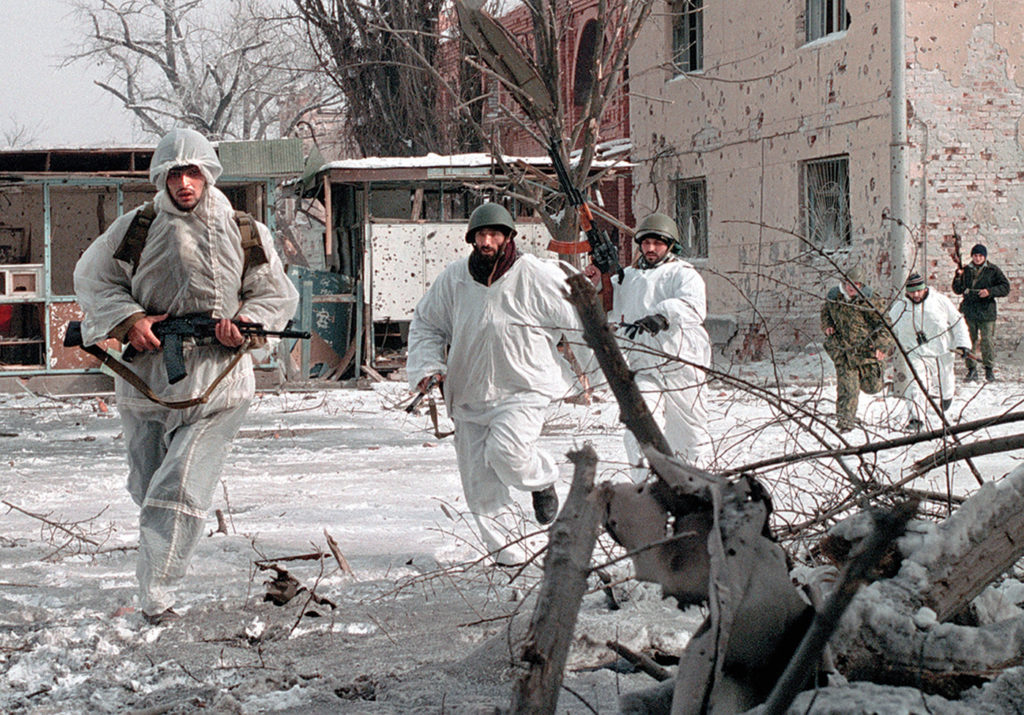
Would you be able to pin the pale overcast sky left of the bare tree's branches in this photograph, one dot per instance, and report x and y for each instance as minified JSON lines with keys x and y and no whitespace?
{"x":59,"y":107}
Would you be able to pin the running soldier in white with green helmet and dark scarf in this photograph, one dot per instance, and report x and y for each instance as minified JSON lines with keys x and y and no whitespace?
{"x":501,"y":316}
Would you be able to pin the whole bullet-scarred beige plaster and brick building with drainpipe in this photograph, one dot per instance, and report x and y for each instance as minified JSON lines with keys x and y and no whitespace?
{"x":784,"y":139}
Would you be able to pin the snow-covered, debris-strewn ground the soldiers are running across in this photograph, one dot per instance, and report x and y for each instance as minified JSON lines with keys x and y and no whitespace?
{"x":419,"y":625}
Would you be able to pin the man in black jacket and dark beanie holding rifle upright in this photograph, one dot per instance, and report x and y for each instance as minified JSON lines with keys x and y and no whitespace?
{"x":980,"y":283}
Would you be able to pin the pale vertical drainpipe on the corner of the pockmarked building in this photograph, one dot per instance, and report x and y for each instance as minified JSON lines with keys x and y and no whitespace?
{"x":899,"y":183}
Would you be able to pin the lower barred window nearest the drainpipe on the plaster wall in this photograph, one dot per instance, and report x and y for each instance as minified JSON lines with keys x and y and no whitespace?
{"x":827,"y":202}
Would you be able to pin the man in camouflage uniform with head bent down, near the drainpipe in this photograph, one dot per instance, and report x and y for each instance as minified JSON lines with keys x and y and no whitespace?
{"x":859,"y":343}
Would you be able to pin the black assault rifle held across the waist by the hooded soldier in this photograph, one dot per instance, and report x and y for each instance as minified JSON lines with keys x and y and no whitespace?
{"x":173,"y":332}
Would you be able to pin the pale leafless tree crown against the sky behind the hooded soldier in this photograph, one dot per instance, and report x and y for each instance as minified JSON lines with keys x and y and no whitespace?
{"x":229,"y":70}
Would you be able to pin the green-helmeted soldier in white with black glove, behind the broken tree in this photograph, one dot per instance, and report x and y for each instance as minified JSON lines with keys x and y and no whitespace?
{"x":660,"y":309}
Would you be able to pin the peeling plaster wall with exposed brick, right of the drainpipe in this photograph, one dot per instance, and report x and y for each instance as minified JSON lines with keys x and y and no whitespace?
{"x":966,"y":96}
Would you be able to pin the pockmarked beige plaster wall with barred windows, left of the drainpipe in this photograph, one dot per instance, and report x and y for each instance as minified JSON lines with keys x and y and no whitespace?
{"x":765,"y":102}
